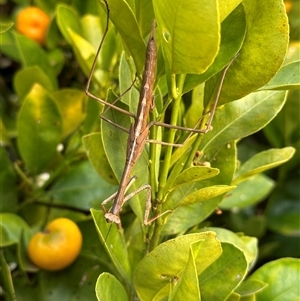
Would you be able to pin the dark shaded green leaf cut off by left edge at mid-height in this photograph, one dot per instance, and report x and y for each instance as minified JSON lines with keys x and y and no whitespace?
{"x":8,"y":191}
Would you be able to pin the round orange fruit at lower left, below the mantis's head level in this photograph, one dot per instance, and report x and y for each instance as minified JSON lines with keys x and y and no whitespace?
{"x":57,"y":247}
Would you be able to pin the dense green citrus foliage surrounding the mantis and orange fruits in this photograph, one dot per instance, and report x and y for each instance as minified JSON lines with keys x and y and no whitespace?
{"x":231,"y":231}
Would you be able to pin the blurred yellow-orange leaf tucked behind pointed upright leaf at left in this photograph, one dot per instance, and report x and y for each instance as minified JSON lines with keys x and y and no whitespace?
{"x":72,"y":105}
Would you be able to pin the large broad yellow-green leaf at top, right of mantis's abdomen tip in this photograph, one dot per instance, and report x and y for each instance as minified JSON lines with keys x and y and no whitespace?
{"x":173,"y":19}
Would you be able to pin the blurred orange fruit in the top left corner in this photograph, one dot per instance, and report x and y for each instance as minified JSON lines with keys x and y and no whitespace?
{"x":33,"y":23}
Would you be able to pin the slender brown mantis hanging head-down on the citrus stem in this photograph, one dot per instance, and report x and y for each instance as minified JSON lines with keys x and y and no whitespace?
{"x":139,"y":130}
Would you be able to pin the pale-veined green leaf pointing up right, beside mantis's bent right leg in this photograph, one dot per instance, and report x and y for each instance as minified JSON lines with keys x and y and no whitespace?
{"x":243,"y":117}
